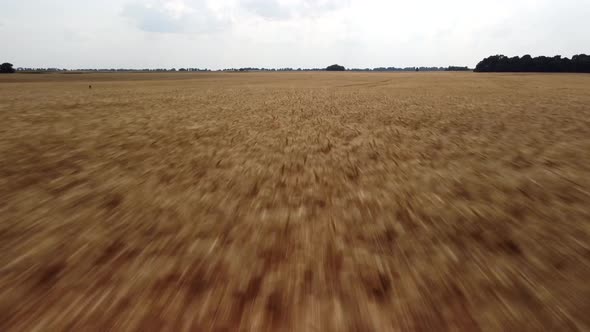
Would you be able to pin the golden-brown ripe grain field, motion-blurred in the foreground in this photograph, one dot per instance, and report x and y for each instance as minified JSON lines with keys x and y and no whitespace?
{"x":308,"y":201}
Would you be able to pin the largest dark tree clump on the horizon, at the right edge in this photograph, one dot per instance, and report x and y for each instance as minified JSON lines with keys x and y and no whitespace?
{"x":501,"y":63}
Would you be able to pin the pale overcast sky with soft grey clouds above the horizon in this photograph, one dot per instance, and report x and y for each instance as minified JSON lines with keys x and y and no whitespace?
{"x":285,"y":33}
